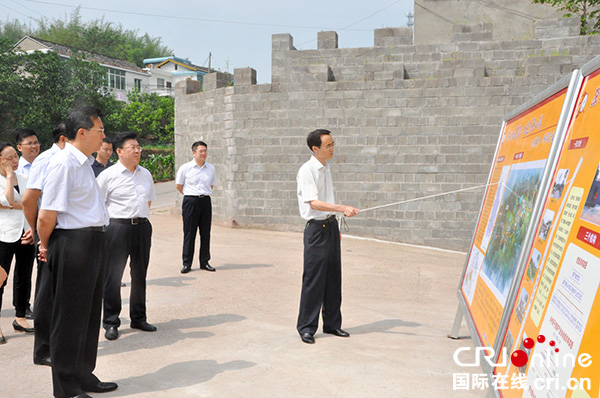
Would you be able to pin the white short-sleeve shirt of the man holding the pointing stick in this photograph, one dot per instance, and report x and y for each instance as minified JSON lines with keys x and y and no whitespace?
{"x":314,"y":183}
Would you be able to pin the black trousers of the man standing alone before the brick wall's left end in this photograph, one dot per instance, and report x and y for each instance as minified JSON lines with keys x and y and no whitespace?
{"x":197,"y":215}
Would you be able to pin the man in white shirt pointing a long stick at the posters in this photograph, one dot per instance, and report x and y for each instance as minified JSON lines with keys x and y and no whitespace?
{"x":322,"y":276}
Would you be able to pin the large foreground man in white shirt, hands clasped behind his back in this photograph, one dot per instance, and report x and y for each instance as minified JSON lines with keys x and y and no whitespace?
{"x":71,"y":224}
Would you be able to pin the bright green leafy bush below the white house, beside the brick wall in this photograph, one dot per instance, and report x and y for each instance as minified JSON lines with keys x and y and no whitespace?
{"x":149,"y":115}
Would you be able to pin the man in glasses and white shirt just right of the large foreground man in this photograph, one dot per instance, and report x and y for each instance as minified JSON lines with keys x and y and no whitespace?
{"x":128,"y":191}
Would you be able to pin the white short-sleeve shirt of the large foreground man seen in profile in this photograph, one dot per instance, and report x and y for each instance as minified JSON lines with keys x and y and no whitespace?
{"x":71,"y":190}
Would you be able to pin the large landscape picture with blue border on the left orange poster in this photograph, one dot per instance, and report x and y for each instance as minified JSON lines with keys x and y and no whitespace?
{"x":514,"y":215}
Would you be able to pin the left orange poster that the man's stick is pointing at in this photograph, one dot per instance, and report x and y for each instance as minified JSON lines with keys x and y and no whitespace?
{"x":516,"y":174}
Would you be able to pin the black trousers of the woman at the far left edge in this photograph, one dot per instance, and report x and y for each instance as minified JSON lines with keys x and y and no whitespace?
{"x":23,"y":255}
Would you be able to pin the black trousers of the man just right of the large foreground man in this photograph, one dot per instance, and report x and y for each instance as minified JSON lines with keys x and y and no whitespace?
{"x":126,"y":241}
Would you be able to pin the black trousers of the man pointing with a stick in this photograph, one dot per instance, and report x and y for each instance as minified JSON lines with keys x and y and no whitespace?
{"x":322,"y":277}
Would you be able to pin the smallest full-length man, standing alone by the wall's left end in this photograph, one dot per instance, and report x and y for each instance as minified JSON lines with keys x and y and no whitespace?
{"x":195,"y":181}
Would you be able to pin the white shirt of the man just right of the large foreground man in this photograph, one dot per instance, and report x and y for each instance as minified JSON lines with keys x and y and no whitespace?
{"x":126,"y":194}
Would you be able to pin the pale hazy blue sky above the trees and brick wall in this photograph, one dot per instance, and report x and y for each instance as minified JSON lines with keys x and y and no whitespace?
{"x":236,"y":33}
